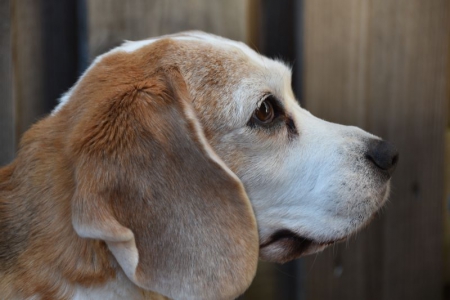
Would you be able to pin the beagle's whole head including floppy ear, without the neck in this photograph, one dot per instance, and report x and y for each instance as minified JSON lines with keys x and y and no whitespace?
{"x":192,"y":158}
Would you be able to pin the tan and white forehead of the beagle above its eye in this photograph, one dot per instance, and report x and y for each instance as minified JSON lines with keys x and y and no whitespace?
{"x":226,"y":77}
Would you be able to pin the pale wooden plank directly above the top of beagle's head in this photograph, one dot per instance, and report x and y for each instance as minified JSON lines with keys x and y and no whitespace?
{"x":110,"y":22}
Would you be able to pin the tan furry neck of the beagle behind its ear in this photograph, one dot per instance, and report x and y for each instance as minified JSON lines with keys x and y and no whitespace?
{"x":40,"y":253}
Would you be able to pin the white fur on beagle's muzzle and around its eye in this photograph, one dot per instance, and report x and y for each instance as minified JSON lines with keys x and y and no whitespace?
{"x":319,"y":185}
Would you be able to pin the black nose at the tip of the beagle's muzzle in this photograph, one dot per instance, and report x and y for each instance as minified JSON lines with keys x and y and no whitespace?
{"x":382,"y":154}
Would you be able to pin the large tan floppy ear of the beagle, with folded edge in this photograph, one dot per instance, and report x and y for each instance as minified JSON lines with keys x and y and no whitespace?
{"x":177,"y":220}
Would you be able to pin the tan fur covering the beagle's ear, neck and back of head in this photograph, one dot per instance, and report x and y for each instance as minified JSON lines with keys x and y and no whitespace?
{"x":107,"y":158}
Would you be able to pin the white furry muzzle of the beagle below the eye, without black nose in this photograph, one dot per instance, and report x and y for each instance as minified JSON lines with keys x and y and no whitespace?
{"x":319,"y":192}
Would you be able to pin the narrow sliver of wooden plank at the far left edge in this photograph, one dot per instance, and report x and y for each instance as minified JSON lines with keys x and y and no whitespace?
{"x":7,"y":111}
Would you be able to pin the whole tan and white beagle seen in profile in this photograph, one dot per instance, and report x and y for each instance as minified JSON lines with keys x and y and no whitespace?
{"x":170,"y":167}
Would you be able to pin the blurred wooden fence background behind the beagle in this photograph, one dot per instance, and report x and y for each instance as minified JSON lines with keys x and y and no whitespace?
{"x":382,"y":65}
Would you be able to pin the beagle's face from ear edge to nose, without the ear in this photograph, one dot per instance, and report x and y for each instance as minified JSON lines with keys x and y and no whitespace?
{"x":310,"y":182}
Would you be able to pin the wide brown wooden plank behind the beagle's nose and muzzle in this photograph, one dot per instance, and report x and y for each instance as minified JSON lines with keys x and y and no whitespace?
{"x":381,"y":65}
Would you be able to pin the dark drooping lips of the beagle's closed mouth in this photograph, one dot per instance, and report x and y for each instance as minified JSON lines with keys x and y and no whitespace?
{"x":285,"y":245}
